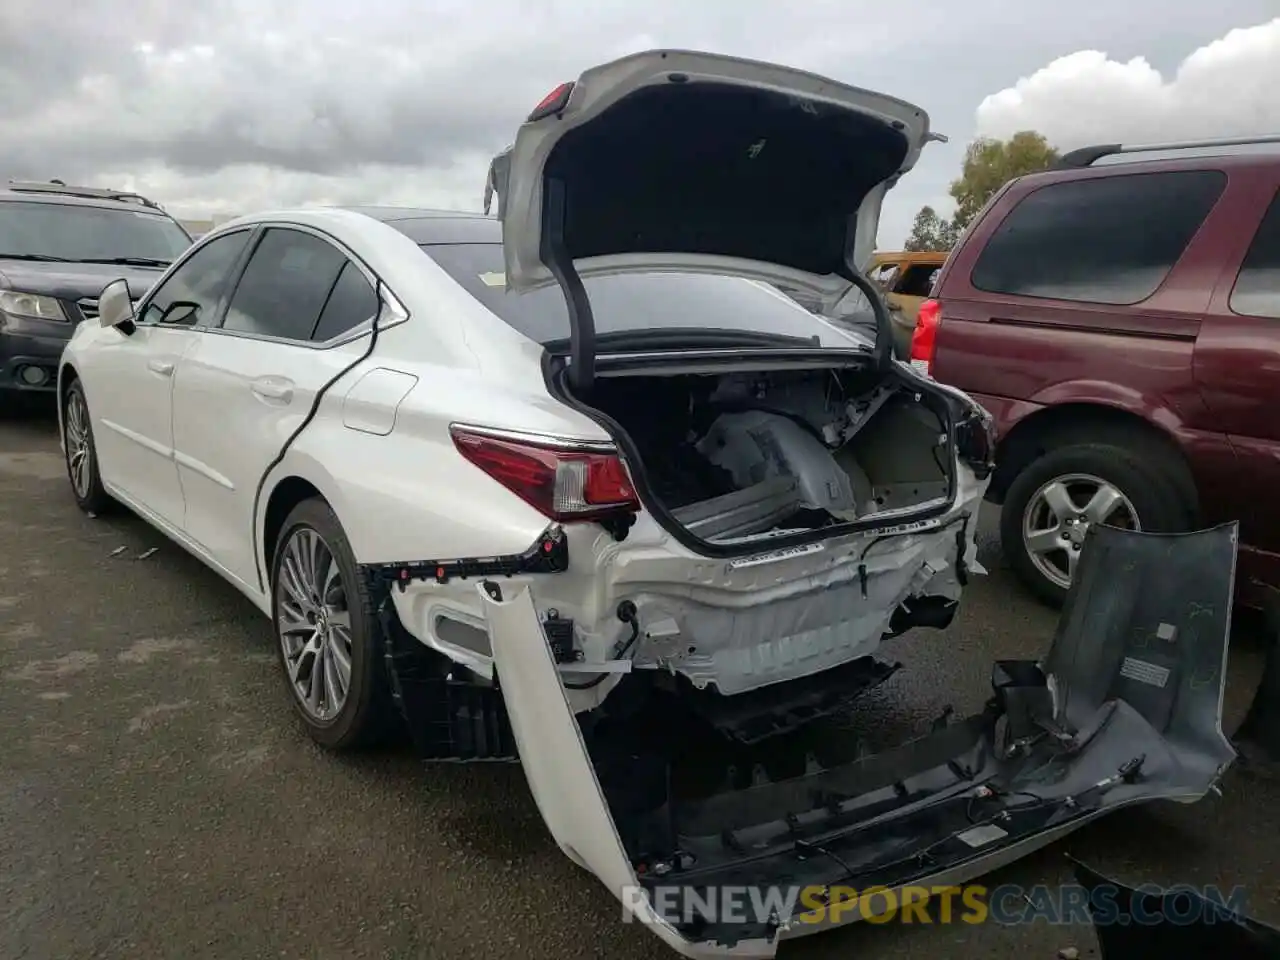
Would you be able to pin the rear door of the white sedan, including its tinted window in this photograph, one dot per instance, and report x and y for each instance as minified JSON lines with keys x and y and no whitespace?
{"x":292,"y":324}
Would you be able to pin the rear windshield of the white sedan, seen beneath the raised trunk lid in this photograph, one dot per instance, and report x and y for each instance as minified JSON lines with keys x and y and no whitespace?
{"x":637,"y":301}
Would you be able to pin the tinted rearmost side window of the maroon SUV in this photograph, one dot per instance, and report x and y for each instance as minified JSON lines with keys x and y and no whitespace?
{"x":1108,"y":240}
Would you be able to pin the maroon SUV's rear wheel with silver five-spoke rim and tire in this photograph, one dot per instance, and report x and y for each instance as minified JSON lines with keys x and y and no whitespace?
{"x":1058,"y":497}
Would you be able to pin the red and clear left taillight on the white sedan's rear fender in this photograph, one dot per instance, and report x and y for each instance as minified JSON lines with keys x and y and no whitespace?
{"x":561,"y":483}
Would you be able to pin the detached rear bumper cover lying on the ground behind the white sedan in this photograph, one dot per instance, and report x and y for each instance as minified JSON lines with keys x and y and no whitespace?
{"x":1126,"y":708}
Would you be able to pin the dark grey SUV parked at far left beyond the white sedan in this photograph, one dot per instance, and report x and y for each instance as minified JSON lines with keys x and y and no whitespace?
{"x":60,"y":246}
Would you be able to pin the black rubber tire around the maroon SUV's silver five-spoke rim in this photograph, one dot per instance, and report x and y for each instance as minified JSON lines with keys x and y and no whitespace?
{"x":1153,"y":501}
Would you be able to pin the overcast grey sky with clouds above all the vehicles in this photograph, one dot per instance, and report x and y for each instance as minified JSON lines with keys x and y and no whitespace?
{"x":232,"y":106}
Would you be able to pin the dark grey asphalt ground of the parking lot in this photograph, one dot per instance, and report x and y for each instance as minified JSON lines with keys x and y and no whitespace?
{"x":159,"y":801}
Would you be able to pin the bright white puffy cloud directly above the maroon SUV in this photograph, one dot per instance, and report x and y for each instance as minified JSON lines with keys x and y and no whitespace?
{"x":1227,"y":89}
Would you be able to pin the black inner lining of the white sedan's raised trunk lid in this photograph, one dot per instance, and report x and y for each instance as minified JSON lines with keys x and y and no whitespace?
{"x":708,"y":168}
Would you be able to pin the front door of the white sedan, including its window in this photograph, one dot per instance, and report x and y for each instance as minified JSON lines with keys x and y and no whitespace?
{"x":131,"y":382}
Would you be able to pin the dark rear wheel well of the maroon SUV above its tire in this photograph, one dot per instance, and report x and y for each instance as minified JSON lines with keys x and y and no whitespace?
{"x":1089,"y":423}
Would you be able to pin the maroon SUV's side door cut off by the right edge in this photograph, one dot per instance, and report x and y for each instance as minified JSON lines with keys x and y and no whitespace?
{"x":1238,"y":354}
